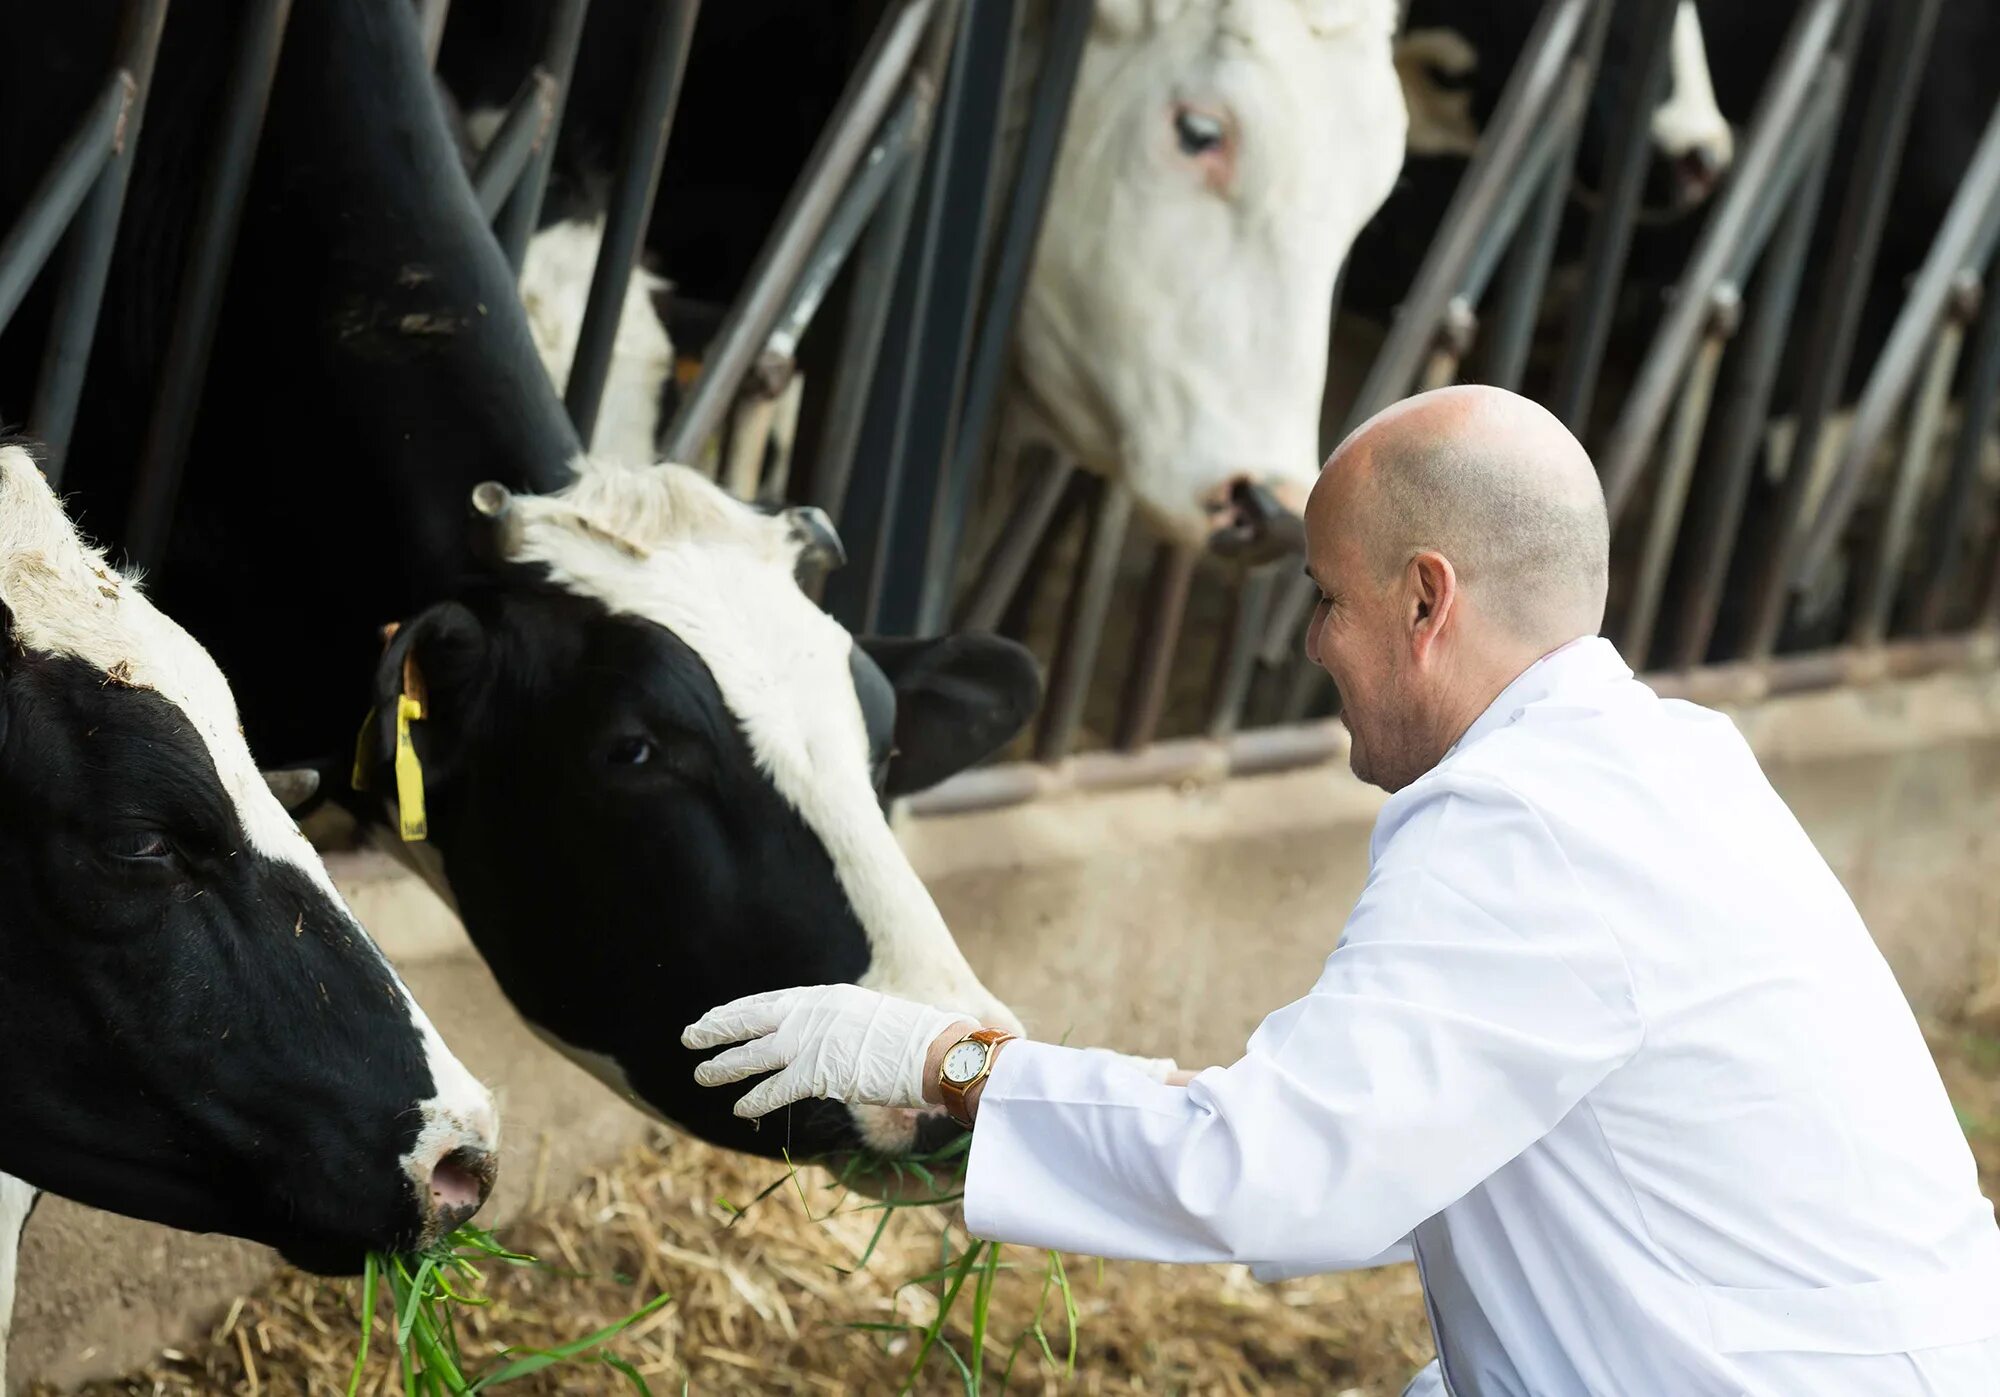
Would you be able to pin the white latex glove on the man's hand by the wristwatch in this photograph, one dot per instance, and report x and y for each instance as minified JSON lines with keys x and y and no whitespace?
{"x":825,"y":1042}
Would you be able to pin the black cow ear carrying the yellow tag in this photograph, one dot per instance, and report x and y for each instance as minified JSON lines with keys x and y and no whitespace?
{"x":439,"y":659}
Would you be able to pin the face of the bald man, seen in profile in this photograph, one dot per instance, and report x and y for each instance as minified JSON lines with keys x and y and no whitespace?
{"x":1361,"y":635}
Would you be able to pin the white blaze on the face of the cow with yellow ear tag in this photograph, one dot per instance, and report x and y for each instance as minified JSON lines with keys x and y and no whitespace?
{"x":667,"y":545}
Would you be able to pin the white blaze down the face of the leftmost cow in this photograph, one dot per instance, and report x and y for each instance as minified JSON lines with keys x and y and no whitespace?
{"x":67,"y":599}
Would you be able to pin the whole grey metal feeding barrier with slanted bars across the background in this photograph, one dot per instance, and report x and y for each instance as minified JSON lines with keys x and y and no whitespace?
{"x":917,"y":215}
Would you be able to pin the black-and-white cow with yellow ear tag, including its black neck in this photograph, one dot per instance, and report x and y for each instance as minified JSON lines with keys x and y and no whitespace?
{"x":645,"y":800}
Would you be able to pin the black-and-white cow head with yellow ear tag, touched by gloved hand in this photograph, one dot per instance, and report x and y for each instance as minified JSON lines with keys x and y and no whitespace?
{"x":653,"y":776}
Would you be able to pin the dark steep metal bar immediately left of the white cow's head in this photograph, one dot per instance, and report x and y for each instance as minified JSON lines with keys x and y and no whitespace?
{"x":1063,"y":55}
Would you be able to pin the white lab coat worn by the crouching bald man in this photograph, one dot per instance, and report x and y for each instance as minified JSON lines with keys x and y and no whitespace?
{"x":1607,"y":1048}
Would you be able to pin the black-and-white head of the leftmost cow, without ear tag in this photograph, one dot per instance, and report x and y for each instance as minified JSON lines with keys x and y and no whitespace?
{"x":193,"y":1028}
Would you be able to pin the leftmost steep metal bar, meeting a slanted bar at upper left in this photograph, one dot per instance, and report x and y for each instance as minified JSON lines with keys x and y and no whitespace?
{"x":89,"y":263}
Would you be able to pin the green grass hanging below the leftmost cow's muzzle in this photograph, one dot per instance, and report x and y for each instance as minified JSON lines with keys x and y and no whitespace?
{"x":423,"y":1298}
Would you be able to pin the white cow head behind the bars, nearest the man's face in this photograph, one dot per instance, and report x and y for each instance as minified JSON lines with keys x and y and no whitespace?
{"x":1217,"y":167}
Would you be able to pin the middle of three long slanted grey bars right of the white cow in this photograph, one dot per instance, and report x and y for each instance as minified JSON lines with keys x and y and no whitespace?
{"x":1673,"y":345}
